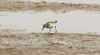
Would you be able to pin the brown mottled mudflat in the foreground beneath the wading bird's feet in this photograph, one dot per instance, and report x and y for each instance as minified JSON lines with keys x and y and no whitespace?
{"x":49,"y":44}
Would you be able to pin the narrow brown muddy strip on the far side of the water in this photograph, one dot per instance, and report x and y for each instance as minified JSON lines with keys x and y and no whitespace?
{"x":39,"y":6}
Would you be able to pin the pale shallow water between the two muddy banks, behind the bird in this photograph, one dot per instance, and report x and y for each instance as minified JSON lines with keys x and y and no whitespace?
{"x":73,"y":21}
